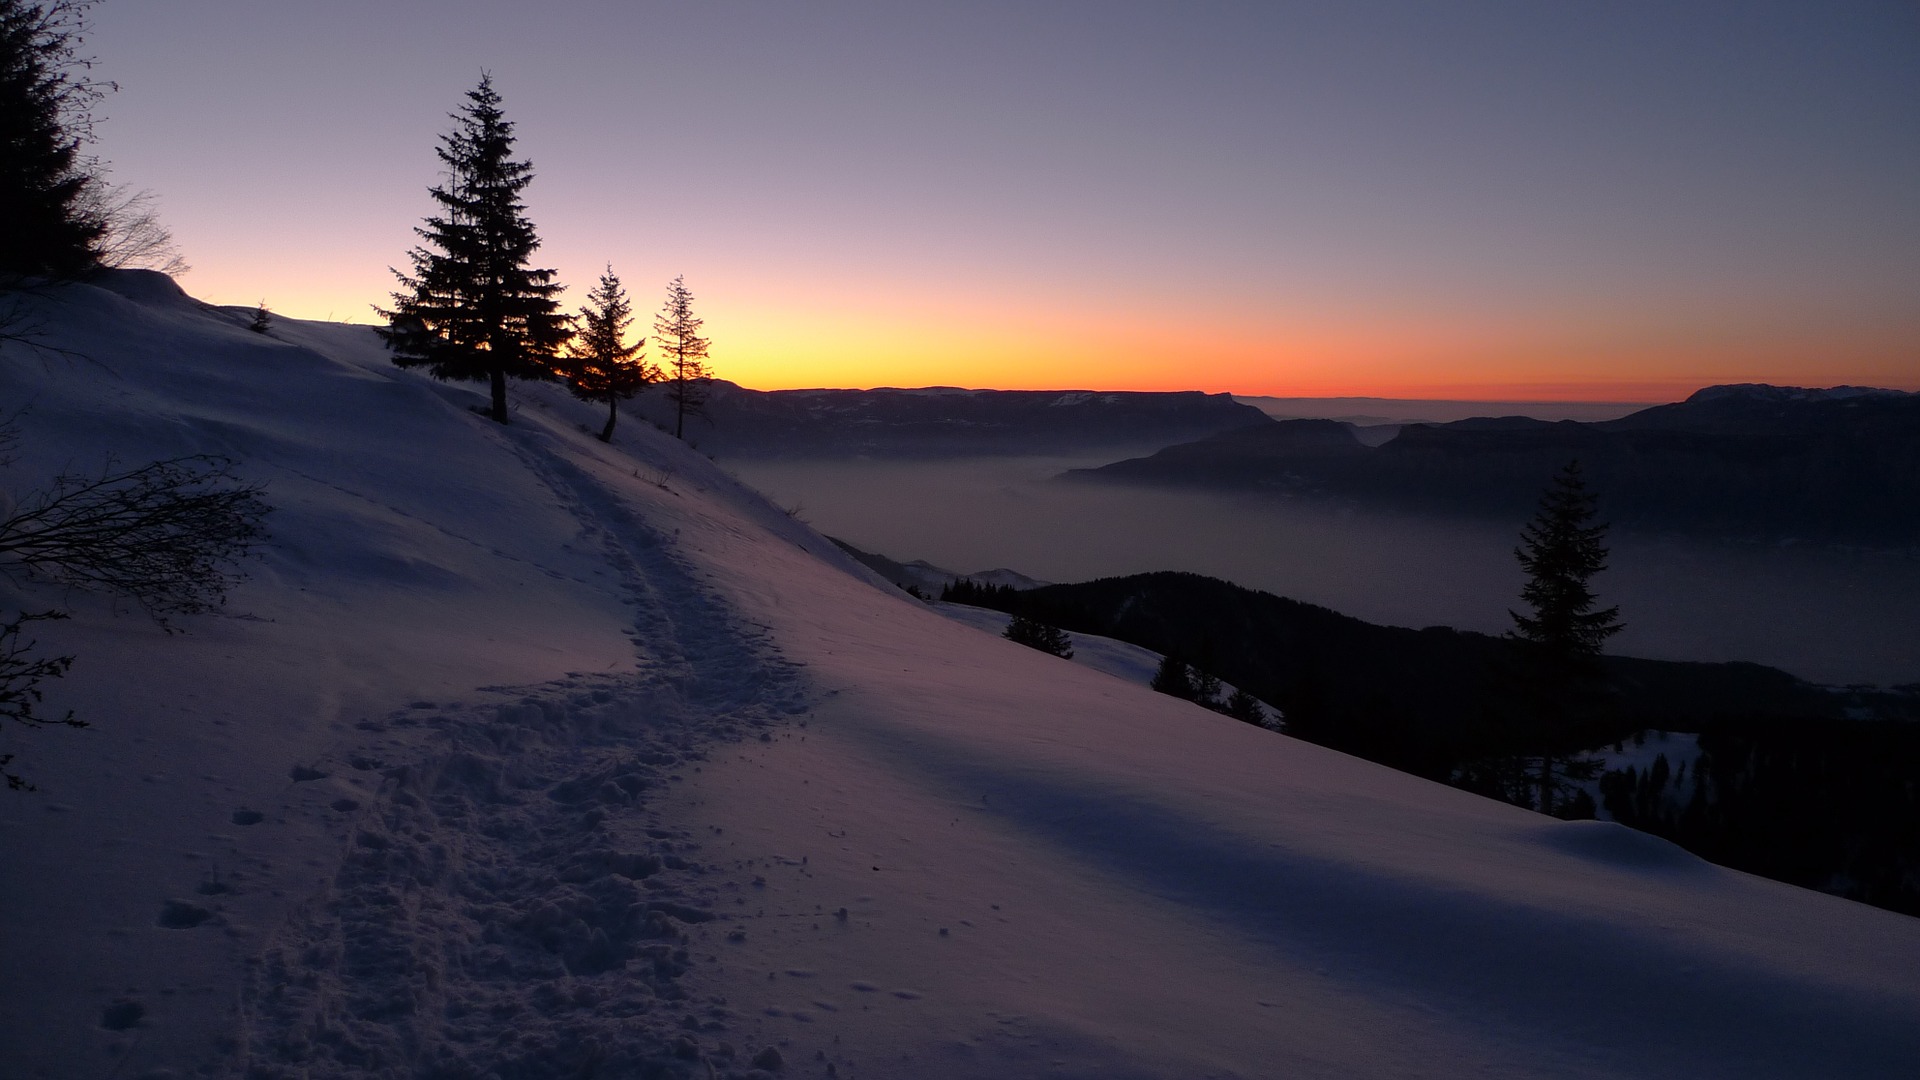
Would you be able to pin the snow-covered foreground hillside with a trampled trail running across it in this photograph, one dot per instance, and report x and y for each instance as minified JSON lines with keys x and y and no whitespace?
{"x":525,"y":756}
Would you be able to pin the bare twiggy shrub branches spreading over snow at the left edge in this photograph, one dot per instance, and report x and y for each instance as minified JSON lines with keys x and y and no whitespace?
{"x":168,"y":535}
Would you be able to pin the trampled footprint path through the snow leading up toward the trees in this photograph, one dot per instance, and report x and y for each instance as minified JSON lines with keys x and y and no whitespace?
{"x":506,"y":906}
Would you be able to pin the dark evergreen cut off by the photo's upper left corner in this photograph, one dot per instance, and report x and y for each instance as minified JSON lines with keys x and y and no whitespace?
{"x":47,"y":103}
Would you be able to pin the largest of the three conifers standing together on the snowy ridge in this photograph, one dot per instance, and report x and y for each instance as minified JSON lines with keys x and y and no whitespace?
{"x":473,"y":308}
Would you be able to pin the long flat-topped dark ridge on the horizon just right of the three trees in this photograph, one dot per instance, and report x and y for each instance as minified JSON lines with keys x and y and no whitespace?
{"x":940,"y":422}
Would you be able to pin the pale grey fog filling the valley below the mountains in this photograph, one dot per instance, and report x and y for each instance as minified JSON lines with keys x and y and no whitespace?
{"x":1831,"y":616}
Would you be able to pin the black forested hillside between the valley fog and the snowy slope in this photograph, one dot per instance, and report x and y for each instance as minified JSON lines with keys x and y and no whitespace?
{"x":1443,"y":704}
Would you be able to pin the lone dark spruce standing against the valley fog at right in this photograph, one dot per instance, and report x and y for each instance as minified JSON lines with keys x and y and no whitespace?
{"x":1562,"y":549}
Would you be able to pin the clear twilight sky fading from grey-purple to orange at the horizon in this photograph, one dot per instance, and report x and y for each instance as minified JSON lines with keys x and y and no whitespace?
{"x":1483,"y":199}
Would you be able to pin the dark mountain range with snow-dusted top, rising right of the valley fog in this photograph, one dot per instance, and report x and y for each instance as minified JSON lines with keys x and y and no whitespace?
{"x":1750,"y":460}
